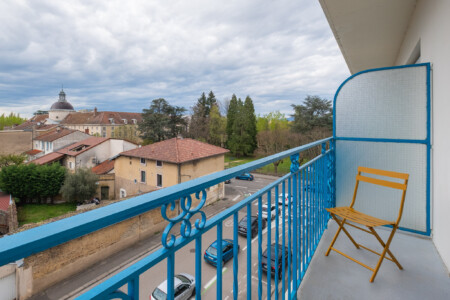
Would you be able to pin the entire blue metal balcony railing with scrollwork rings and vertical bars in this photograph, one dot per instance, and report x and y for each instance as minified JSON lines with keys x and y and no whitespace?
{"x":308,"y":189}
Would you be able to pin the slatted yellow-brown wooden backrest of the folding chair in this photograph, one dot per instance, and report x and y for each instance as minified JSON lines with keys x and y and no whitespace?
{"x":382,"y":182}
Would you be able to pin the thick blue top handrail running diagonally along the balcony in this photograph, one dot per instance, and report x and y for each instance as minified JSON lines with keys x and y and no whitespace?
{"x":37,"y":239}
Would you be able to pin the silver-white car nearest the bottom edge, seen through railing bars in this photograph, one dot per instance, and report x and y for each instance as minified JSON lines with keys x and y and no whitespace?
{"x":184,"y":288}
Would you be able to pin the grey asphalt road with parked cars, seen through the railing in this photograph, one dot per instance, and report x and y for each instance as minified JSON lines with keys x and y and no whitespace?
{"x":185,"y":257}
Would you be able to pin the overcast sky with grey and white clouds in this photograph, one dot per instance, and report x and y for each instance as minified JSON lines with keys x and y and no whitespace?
{"x":119,"y":55}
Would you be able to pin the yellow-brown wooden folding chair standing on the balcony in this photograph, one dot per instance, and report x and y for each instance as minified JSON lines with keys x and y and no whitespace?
{"x":344,"y":215}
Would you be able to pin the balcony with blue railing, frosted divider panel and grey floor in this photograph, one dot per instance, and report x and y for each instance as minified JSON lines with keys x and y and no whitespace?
{"x":364,"y":133}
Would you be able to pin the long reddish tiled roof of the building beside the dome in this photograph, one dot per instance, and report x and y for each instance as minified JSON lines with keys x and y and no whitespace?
{"x":101,"y":118}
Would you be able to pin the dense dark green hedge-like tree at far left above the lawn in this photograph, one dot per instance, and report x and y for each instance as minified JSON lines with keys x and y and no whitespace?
{"x":31,"y":181}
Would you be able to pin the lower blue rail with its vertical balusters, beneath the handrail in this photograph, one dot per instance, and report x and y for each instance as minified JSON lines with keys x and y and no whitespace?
{"x":294,"y":180}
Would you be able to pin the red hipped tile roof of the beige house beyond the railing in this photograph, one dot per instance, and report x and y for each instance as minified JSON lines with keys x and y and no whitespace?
{"x":176,"y":151}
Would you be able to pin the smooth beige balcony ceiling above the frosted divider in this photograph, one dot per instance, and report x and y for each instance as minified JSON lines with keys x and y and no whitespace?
{"x":369,"y":32}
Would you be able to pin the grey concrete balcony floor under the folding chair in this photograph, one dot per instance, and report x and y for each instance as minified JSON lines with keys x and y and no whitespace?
{"x":424,"y":275}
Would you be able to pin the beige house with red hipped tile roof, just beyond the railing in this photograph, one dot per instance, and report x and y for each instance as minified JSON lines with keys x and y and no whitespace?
{"x":167,"y":163}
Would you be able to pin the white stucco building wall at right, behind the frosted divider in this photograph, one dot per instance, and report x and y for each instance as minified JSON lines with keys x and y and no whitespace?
{"x":429,"y":25}
